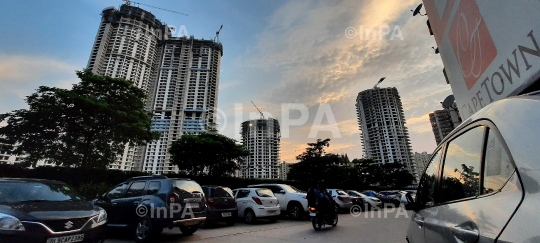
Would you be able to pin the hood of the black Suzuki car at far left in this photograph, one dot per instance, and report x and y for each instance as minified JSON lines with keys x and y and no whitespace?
{"x":37,"y":211}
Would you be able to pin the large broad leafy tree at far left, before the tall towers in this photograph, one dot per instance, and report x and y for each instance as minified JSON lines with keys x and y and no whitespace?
{"x":86,"y":126}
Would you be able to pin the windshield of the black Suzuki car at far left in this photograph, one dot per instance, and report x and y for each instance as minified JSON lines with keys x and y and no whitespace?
{"x":22,"y":192}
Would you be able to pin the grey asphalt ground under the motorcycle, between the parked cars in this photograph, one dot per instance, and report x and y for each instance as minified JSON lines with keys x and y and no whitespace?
{"x":373,"y":227}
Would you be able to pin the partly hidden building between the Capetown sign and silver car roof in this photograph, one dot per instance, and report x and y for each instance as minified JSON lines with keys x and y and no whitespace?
{"x":443,"y":122}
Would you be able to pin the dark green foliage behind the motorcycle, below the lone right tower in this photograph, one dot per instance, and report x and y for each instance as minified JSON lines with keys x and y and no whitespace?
{"x":316,"y":164}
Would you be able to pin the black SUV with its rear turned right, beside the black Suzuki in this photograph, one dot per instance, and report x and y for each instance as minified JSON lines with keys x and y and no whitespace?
{"x":147,"y":204}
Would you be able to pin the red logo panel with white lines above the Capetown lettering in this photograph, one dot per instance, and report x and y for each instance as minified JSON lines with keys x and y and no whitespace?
{"x":472,"y":42}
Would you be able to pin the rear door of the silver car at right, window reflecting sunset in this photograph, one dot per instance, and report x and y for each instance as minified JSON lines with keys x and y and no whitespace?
{"x":479,"y":189}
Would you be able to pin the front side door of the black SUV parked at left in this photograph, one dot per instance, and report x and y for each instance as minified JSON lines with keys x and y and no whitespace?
{"x":109,"y":202}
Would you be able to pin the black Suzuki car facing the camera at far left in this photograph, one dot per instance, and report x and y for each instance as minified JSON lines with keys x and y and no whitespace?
{"x":33,"y":210}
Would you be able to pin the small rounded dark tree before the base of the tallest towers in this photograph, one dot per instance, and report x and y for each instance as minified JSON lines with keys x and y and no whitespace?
{"x":207,"y":154}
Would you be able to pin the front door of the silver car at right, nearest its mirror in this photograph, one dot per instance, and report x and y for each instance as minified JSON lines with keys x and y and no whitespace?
{"x":425,"y":200}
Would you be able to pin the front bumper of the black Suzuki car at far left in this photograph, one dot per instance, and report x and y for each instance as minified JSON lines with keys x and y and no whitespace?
{"x":37,"y":233}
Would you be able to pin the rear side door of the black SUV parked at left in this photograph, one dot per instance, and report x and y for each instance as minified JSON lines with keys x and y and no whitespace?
{"x":127,"y":206}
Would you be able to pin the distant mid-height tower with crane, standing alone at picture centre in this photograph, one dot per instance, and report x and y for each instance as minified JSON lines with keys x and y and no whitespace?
{"x":261,"y":137}
